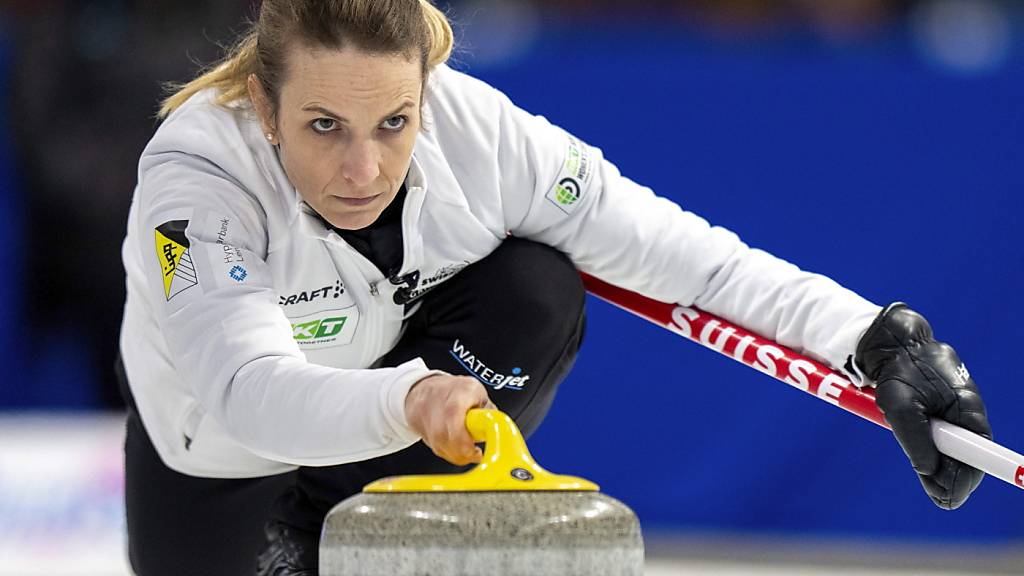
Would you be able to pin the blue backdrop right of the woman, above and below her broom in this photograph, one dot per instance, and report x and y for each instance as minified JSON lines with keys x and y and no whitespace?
{"x":899,"y":180}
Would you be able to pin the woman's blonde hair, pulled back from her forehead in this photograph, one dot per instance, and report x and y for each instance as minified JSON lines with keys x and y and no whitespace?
{"x":390,"y":27}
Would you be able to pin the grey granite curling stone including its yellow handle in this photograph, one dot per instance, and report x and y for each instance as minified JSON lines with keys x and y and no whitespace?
{"x":507,"y":517}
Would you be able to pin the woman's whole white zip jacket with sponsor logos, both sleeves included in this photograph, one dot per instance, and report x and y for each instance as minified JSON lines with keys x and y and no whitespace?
{"x":250,"y":327}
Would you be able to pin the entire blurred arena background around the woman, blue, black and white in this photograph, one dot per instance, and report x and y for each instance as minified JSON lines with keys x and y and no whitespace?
{"x":877,"y":142}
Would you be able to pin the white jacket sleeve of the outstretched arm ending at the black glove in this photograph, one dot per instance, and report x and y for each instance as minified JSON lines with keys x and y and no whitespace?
{"x":560,"y":191}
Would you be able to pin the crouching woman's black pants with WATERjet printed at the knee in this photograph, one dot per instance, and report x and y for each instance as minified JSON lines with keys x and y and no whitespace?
{"x":518,"y":313}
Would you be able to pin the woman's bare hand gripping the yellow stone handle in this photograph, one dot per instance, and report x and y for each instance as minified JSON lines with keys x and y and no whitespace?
{"x":436,"y":408}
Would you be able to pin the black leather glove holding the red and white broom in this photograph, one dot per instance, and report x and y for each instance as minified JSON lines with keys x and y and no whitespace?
{"x":918,"y":379}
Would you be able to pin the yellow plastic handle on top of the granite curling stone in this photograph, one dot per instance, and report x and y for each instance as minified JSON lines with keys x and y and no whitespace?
{"x":507,"y":465}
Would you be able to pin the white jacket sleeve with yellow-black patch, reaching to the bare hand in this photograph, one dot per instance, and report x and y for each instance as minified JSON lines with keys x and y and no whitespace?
{"x":204,"y":244}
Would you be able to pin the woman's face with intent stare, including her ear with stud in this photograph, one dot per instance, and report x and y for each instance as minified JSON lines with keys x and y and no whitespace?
{"x":347,"y":126}
